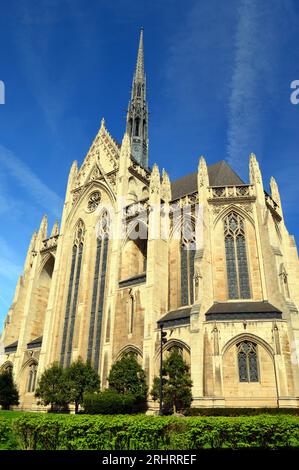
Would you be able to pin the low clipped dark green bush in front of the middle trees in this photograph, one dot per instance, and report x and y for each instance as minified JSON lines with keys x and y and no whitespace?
{"x":108,"y":402}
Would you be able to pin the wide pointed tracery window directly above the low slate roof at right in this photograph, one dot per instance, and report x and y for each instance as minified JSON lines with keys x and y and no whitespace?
{"x":236,"y":257}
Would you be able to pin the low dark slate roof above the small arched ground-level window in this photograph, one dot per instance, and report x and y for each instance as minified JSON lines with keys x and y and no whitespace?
{"x":242,"y":310}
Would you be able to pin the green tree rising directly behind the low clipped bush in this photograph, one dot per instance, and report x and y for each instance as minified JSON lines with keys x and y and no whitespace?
{"x":127,"y":377}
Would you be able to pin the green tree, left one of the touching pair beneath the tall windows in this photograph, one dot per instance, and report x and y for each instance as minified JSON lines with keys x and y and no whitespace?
{"x":52,"y":388}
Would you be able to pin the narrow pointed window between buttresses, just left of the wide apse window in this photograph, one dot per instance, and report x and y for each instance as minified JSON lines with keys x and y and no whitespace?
{"x":188,"y":249}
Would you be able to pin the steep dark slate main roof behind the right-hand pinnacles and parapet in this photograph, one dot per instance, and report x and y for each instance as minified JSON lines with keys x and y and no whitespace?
{"x":220,"y":174}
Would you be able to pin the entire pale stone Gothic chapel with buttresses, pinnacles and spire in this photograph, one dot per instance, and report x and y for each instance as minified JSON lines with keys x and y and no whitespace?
{"x":226,"y":294}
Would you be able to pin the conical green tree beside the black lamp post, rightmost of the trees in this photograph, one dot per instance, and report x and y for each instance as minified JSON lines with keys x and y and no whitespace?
{"x":177,"y":383}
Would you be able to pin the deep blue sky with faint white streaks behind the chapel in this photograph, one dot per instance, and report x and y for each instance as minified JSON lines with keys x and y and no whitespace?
{"x":218,"y":77}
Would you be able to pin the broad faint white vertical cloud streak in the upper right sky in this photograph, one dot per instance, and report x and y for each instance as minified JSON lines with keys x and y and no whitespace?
{"x":262,"y":31}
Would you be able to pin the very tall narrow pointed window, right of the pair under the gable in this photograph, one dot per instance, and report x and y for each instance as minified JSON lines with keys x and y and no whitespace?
{"x":98,"y":293}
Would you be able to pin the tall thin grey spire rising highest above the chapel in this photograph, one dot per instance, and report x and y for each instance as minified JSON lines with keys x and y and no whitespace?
{"x":137,"y":115}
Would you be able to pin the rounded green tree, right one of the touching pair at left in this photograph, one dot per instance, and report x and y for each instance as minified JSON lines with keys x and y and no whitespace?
{"x":80,"y":378}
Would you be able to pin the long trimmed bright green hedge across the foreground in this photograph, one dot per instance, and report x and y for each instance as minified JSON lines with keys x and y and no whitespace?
{"x":129,"y":432}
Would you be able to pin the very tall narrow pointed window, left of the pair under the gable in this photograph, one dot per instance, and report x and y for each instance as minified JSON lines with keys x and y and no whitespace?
{"x":72,"y":296}
